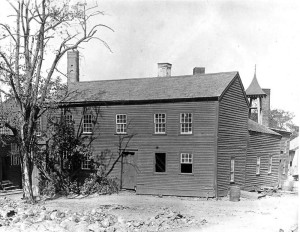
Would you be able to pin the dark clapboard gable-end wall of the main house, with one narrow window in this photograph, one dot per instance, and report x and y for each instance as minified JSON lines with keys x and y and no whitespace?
{"x":232,"y":136}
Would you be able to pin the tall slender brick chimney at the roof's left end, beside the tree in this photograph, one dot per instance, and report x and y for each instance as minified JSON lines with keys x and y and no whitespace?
{"x":73,"y":66}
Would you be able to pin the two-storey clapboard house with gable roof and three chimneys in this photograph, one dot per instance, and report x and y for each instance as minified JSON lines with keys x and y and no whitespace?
{"x":190,"y":132}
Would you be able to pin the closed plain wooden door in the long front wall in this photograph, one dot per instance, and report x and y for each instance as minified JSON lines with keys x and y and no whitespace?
{"x":129,"y":170}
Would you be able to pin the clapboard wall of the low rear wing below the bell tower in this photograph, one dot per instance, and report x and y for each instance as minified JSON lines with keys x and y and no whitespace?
{"x":264,"y":146}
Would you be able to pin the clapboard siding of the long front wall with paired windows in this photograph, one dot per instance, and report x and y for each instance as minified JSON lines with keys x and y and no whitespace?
{"x":201,"y":144}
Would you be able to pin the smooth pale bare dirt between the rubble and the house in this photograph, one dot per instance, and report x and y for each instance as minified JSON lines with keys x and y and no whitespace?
{"x":270,"y":213}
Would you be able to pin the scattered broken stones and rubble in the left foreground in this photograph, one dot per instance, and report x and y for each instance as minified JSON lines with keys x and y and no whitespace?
{"x":24,"y":217}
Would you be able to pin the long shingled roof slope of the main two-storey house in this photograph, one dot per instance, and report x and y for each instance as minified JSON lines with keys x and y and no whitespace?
{"x":149,"y":89}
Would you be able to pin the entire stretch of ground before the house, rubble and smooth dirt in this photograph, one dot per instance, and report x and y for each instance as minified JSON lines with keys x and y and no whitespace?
{"x":130,"y":212}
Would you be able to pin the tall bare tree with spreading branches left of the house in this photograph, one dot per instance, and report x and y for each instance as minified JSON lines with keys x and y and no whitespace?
{"x":42,"y":29}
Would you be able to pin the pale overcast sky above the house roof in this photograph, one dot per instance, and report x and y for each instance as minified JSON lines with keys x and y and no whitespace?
{"x":218,"y":35}
